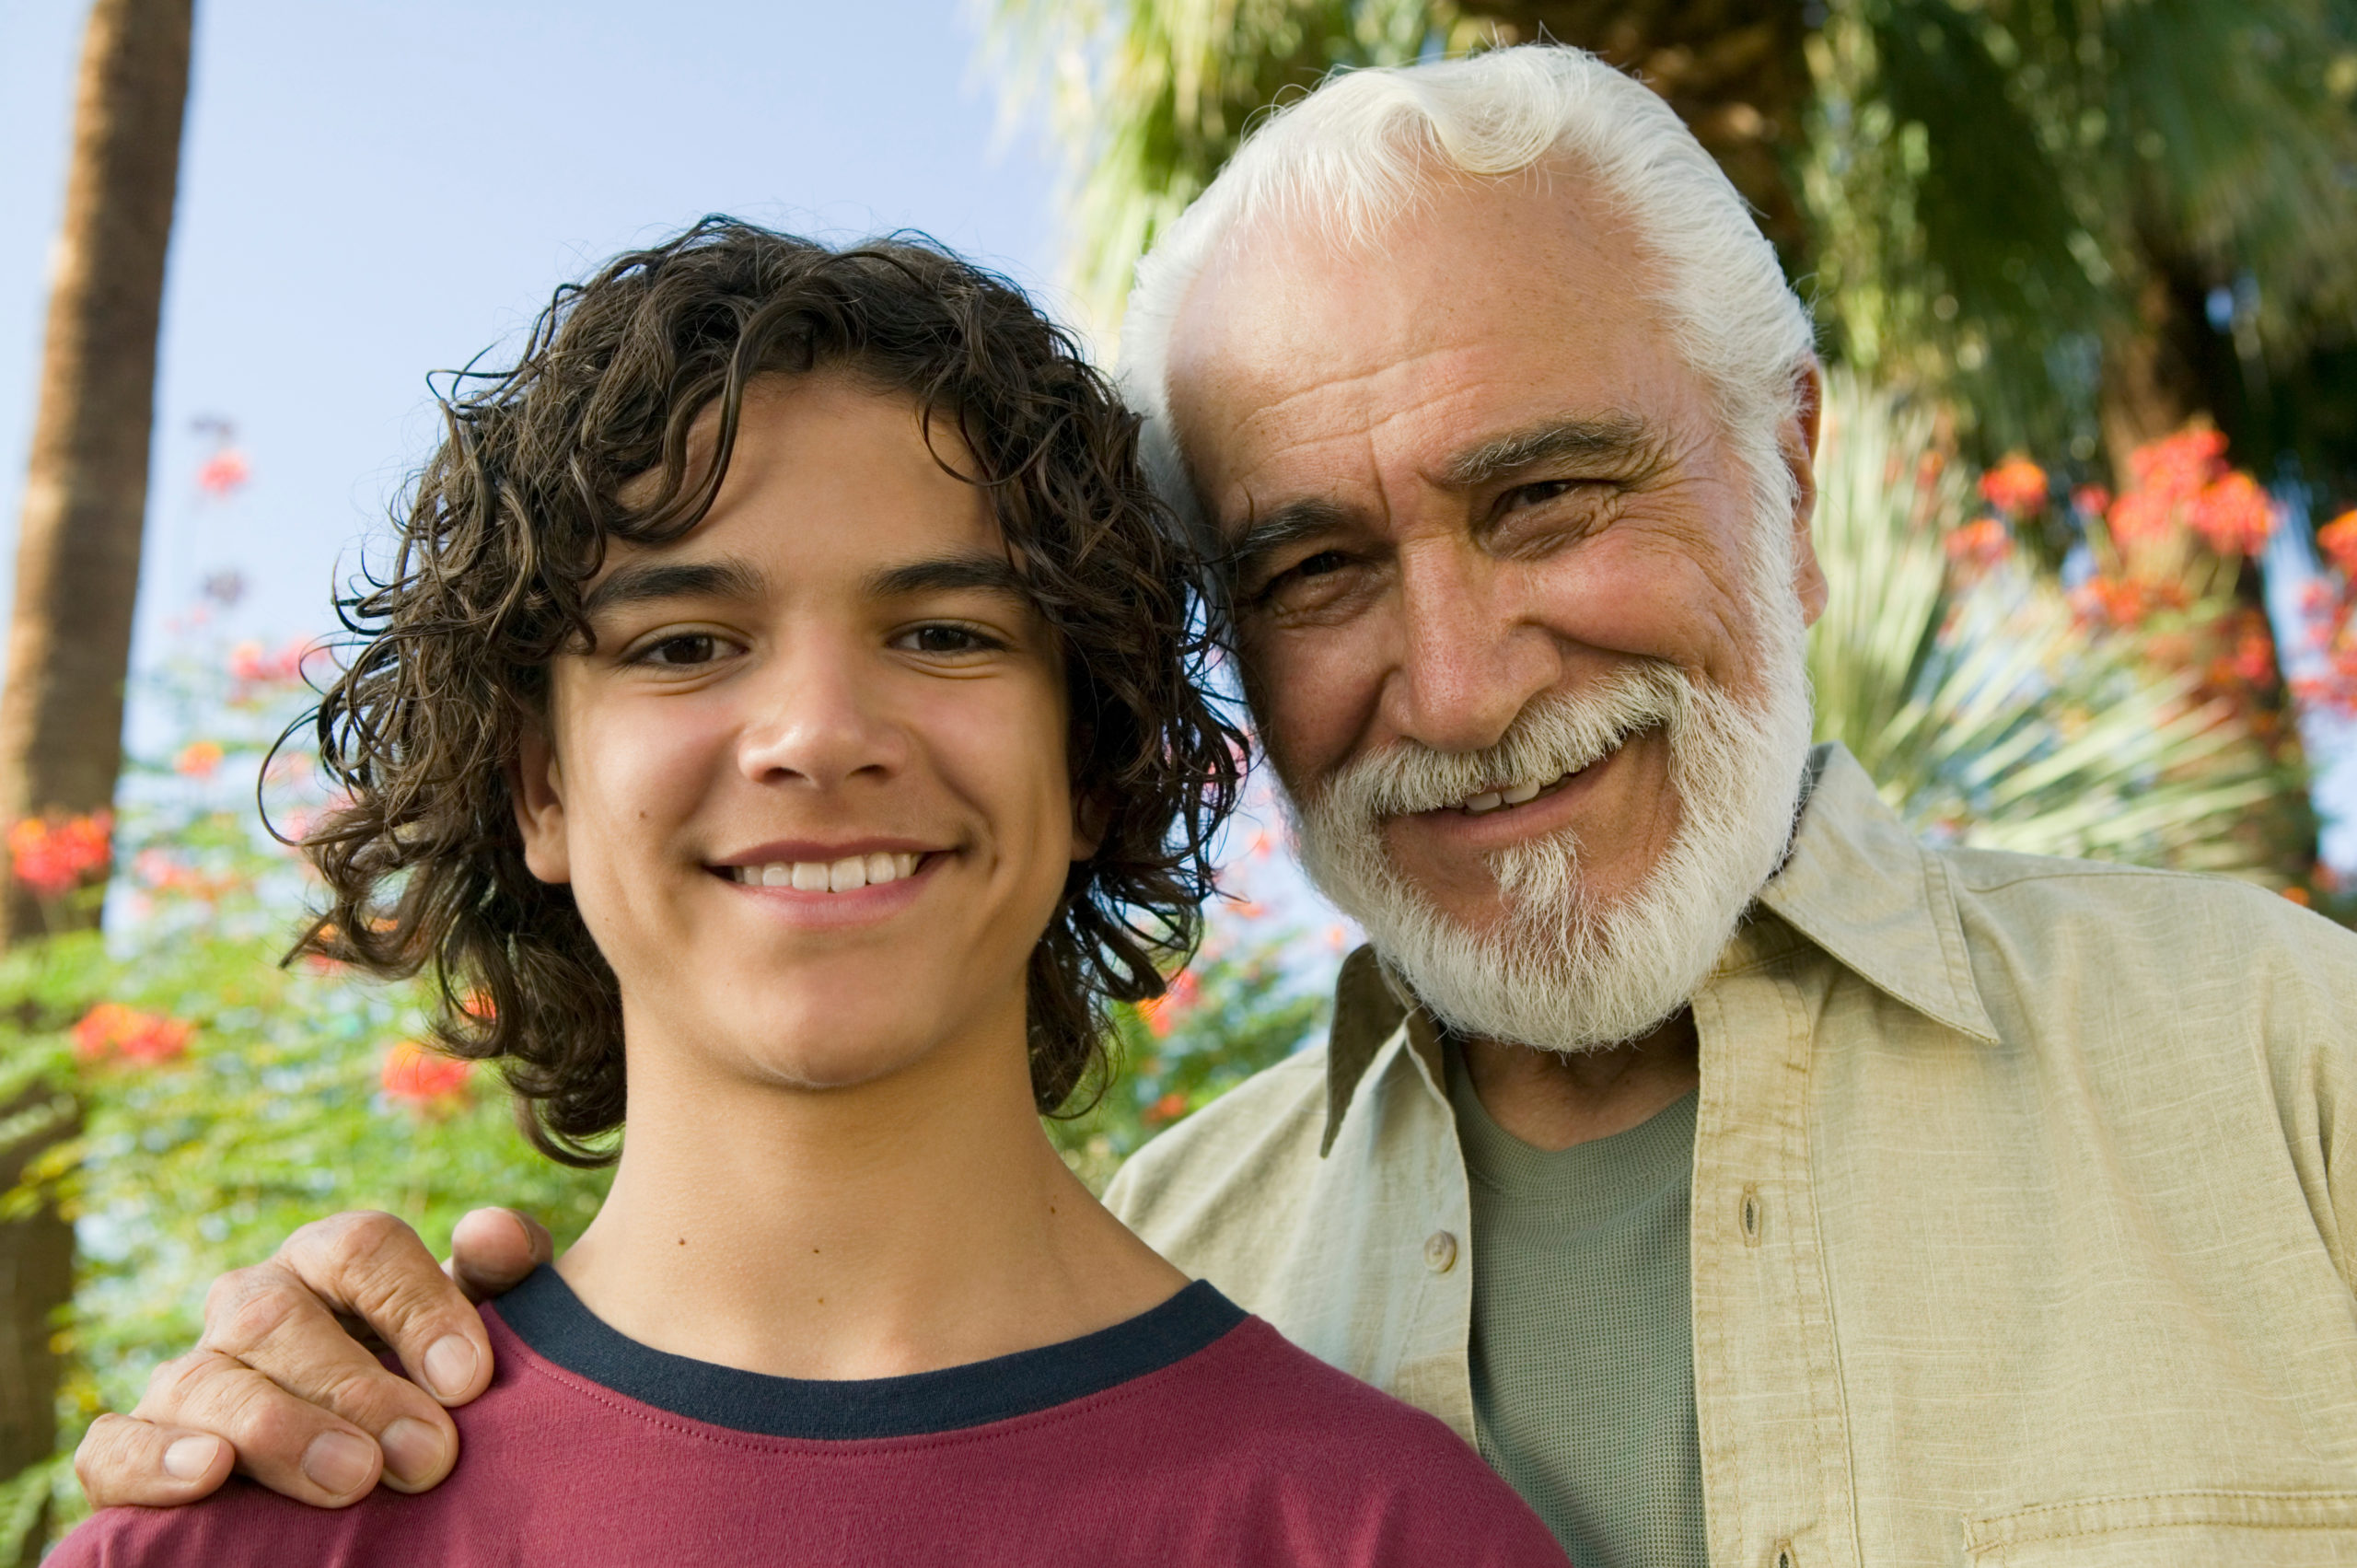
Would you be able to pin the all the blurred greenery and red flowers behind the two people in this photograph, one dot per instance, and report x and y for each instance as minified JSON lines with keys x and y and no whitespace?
{"x":2089,"y":296}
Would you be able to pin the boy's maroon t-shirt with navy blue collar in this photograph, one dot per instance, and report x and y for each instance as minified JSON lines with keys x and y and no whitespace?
{"x":1191,"y":1437}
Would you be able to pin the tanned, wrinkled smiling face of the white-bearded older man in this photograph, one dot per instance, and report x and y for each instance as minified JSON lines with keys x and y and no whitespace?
{"x":1467,"y":477}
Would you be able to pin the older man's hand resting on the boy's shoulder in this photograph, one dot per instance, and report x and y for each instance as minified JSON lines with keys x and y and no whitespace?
{"x":282,"y":1390}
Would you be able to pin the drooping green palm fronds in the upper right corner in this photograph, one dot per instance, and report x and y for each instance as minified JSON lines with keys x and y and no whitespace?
{"x":2000,"y":185}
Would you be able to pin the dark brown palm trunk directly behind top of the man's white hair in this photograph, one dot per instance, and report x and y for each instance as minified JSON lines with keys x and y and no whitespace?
{"x":1734,"y":72}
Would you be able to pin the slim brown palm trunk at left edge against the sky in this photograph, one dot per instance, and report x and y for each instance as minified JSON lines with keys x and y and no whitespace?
{"x":86,"y":489}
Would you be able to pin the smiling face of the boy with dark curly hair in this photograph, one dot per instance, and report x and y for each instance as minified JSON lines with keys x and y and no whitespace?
{"x":810,"y":789}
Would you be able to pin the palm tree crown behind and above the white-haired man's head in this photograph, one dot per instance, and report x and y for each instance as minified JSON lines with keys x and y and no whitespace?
{"x":2033,"y":206}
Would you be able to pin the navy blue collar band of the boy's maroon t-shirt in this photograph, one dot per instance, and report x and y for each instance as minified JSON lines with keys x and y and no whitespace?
{"x":550,"y":1319}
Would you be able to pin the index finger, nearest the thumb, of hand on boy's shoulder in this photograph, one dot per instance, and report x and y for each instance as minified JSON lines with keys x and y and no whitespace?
{"x":376,"y":1270}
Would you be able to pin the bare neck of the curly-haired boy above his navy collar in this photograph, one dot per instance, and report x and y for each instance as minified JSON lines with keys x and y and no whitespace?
{"x":894,"y":1227}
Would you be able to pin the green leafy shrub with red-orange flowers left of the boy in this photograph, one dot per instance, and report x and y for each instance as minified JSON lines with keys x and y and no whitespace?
{"x":202,"y":1157}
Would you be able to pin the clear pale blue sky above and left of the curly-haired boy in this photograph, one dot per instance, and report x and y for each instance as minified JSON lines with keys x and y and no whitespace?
{"x":381,"y":187}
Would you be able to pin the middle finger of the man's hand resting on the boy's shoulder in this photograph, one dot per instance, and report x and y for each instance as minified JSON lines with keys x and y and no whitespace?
{"x":268,"y":1322}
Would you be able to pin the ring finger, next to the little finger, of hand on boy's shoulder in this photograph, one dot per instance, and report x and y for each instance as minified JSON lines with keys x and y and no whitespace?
{"x":286,"y":1444}
